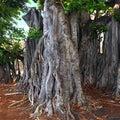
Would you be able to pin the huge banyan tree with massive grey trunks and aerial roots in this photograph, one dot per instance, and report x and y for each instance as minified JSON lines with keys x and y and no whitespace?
{"x":74,"y":50}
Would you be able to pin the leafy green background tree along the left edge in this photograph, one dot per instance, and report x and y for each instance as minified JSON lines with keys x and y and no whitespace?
{"x":10,"y":36}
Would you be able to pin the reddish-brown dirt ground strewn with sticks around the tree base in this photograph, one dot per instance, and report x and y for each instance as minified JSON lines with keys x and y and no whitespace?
{"x":101,"y":105}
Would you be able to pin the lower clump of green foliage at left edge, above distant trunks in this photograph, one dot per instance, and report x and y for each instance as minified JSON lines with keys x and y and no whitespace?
{"x":10,"y":49}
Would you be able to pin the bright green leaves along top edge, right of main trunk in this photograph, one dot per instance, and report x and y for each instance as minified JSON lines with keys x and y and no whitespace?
{"x":84,"y":5}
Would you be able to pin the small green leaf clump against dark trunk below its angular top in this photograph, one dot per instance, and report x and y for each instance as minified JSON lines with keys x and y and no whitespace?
{"x":35,"y":33}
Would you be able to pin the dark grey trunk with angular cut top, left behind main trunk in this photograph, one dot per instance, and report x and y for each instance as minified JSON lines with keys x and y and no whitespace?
{"x":33,"y":19}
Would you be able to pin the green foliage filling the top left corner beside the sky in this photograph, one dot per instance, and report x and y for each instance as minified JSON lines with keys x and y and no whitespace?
{"x":9,"y":11}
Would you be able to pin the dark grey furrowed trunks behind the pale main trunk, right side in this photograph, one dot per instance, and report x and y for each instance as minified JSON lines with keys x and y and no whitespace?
{"x":100,"y":69}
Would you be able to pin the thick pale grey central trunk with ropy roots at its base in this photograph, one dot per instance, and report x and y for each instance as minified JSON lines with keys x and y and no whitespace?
{"x":54,"y":74}
